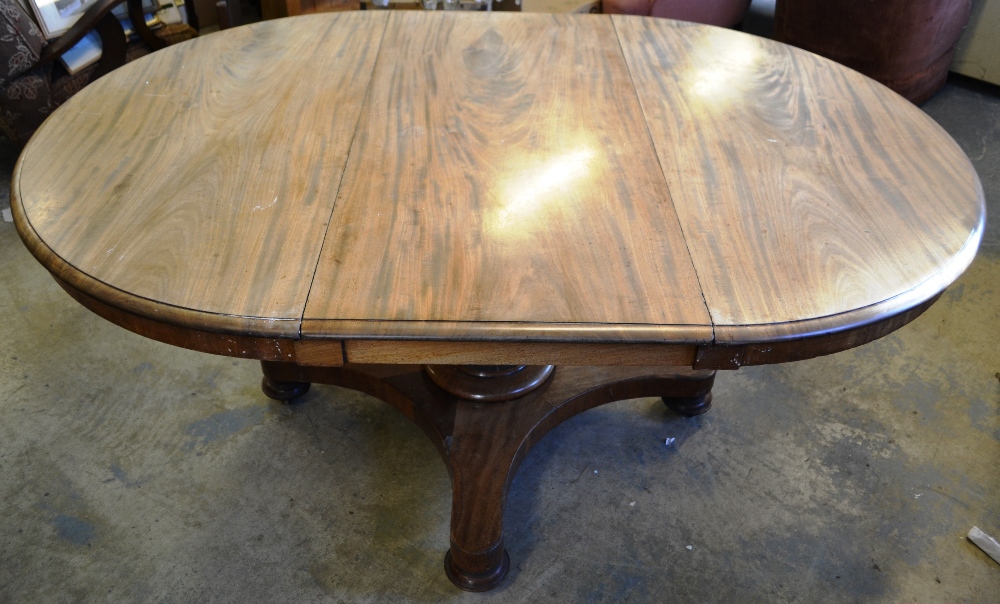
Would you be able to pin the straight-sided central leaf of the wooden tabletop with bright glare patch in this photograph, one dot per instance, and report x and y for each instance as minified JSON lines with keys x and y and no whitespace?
{"x":501,"y":172}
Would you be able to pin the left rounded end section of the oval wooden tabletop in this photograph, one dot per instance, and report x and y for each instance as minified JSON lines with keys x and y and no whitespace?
{"x":200,"y":178}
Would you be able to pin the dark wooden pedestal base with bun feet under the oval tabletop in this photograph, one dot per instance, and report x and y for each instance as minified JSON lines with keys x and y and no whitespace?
{"x":483,"y":443}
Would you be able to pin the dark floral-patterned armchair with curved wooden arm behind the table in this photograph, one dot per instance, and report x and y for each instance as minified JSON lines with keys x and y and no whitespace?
{"x":33,"y":83}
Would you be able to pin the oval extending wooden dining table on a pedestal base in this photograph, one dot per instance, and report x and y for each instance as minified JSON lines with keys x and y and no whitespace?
{"x":495,"y":221}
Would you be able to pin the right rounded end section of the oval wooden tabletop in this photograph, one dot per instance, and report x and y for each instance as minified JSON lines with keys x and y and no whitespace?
{"x":805,"y":190}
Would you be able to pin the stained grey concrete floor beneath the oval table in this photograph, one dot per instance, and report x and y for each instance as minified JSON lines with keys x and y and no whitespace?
{"x":134,"y":471}
